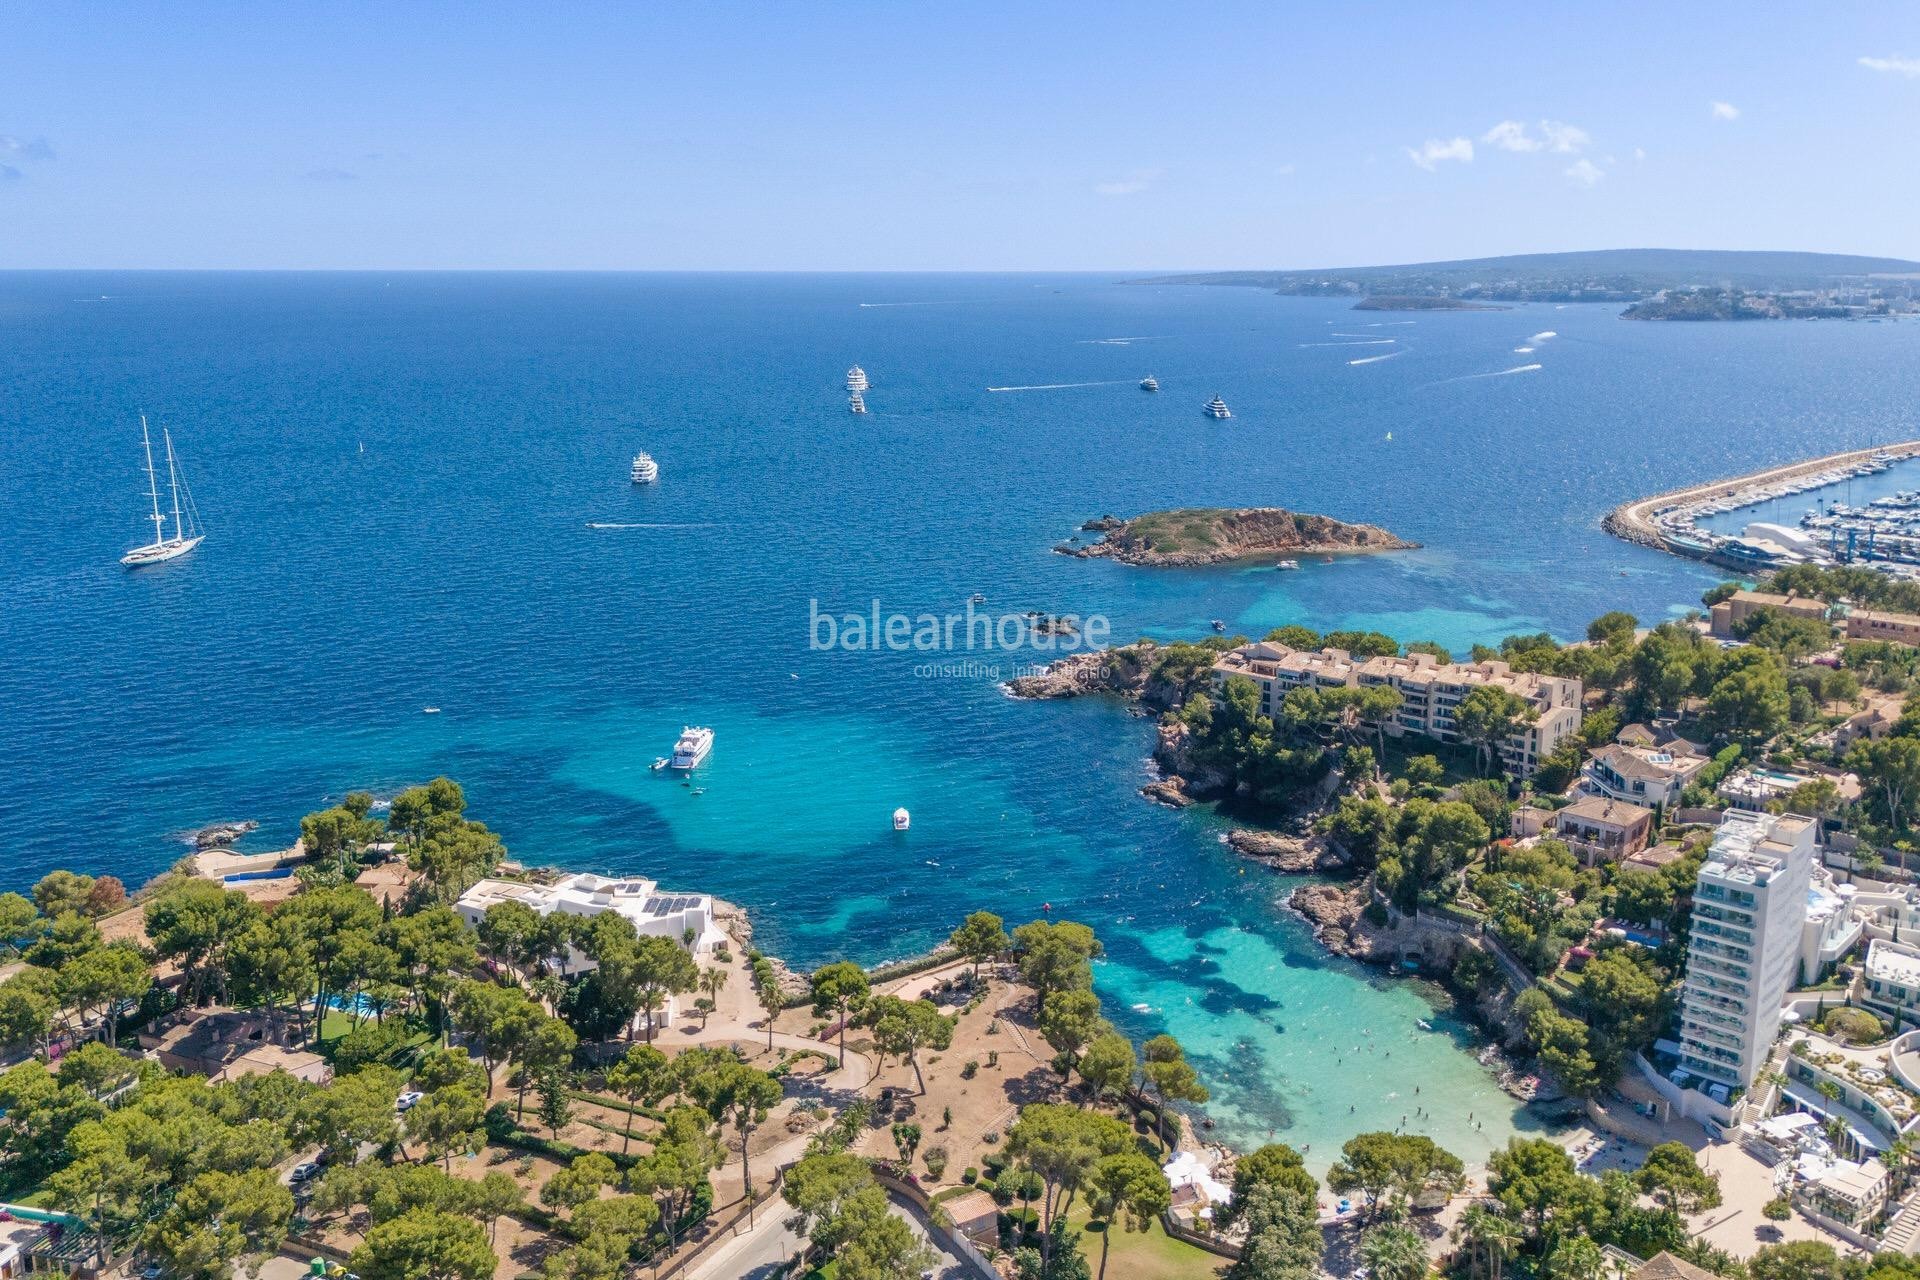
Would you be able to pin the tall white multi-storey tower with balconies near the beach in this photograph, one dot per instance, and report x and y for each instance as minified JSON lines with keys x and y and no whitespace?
{"x":1750,"y":907}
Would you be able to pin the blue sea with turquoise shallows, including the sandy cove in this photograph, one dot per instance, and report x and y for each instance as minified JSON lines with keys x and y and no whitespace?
{"x":418,"y":496}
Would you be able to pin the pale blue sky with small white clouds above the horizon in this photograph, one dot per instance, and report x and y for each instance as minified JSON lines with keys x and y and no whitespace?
{"x":969,"y":137}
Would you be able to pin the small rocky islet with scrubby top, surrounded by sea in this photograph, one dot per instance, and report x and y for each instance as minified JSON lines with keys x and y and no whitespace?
{"x":1199,"y":536}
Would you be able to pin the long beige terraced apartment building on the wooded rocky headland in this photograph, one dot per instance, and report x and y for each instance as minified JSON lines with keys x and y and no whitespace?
{"x":1429,"y":692}
